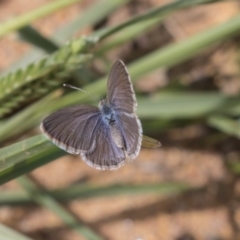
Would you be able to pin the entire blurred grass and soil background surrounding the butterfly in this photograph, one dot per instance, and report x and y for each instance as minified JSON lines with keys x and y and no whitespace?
{"x":183,"y":57}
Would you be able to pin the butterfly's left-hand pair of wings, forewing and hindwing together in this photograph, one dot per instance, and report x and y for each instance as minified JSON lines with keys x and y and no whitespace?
{"x":81,"y":130}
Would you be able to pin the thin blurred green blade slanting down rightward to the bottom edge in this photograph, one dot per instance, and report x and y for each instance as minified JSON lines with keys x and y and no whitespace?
{"x":47,"y":201}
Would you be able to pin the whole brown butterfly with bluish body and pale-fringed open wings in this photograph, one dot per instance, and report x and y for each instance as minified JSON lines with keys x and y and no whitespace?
{"x":105,"y":136}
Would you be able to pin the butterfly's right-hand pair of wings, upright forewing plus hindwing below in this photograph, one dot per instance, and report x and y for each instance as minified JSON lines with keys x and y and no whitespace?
{"x":122,"y":99}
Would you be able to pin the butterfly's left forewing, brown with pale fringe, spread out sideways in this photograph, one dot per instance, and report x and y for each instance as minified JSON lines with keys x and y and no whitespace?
{"x":73,"y":128}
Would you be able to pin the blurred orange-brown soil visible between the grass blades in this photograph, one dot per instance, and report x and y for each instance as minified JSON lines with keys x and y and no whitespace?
{"x":209,"y":212}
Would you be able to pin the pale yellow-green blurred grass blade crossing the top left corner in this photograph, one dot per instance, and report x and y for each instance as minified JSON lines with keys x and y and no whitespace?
{"x":28,"y":18}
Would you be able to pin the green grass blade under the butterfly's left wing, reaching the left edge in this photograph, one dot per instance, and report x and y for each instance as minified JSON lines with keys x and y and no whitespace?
{"x":22,"y":157}
